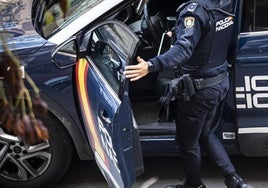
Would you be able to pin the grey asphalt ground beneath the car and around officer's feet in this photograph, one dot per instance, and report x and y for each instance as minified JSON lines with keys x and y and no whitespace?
{"x":161,"y":171}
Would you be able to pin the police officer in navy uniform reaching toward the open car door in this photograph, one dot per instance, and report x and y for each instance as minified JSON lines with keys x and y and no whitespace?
{"x":203,"y":32}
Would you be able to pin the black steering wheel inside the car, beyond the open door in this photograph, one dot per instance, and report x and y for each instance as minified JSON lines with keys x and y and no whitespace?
{"x":156,"y":23}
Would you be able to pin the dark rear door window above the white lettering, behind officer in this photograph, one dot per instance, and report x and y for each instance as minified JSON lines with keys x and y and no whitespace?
{"x":255,"y":16}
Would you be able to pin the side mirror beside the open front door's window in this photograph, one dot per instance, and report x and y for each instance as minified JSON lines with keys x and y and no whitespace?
{"x":66,"y":54}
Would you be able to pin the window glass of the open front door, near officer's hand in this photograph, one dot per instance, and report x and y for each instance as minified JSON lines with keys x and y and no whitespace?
{"x":108,"y":48}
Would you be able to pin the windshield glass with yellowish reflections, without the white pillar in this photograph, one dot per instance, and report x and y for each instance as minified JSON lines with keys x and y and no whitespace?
{"x":61,"y":13}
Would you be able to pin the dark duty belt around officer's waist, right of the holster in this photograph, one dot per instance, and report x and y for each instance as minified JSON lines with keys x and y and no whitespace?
{"x":208,"y":82}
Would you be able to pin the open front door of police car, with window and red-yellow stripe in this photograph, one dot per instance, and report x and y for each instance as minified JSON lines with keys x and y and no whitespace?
{"x":103,"y":101}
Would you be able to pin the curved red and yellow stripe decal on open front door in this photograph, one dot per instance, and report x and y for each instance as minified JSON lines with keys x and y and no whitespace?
{"x":81,"y":82}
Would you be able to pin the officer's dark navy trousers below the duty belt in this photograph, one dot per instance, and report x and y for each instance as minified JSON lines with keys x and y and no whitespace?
{"x":195,"y":122}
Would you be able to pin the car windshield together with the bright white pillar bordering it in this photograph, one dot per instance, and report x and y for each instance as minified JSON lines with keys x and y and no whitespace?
{"x":58,"y":20}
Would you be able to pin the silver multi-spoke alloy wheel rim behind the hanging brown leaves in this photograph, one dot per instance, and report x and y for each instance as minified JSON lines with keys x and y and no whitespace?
{"x":21,"y":162}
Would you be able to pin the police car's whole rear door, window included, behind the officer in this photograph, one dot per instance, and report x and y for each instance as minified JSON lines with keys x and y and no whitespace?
{"x":251,"y":79}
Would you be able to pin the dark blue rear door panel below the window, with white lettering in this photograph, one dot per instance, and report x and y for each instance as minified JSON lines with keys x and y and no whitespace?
{"x":251,"y":88}
